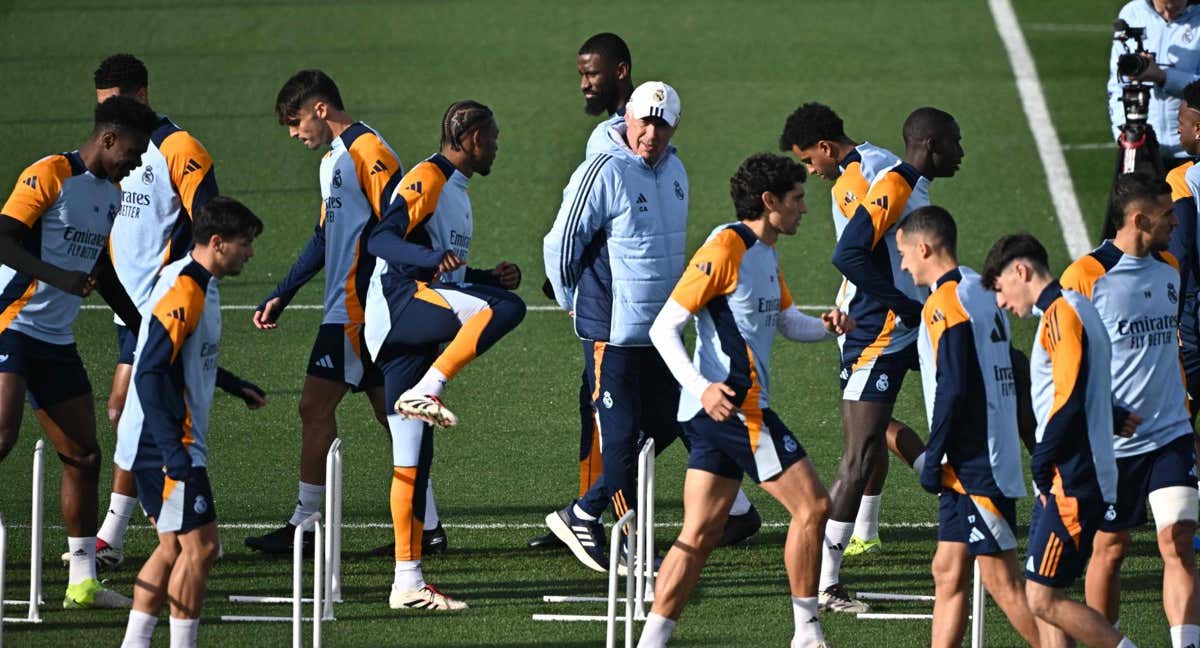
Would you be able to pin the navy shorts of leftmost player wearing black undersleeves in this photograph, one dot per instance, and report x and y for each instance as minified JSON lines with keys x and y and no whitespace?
{"x":53,"y":373}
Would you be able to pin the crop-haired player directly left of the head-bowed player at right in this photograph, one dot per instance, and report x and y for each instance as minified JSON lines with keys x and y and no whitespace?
{"x":974,"y":457}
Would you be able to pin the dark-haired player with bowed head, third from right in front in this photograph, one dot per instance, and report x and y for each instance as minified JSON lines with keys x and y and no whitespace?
{"x":1073,"y":466}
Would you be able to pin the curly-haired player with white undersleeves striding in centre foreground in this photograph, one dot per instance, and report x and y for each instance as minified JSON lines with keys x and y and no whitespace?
{"x":735,"y":290}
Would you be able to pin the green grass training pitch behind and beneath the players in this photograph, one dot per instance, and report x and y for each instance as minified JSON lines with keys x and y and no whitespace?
{"x":740,"y":69}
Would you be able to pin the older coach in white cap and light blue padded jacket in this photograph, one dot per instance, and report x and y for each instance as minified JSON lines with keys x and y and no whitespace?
{"x":613,"y":257}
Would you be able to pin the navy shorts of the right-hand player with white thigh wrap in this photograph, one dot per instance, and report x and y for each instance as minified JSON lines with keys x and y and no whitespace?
{"x":1173,"y":465}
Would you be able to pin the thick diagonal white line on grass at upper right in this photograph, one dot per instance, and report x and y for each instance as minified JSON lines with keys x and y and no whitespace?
{"x":1034,"y":101}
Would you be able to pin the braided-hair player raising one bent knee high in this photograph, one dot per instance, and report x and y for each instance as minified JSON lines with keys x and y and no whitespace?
{"x":423,"y":295}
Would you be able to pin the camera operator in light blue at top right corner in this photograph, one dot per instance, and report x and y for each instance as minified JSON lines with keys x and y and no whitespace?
{"x":1166,"y":61}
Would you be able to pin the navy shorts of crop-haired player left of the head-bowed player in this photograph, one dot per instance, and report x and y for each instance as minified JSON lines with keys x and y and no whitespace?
{"x":986,"y":525}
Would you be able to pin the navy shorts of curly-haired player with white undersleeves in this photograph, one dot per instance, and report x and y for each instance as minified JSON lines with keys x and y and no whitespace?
{"x":755,"y":443}
